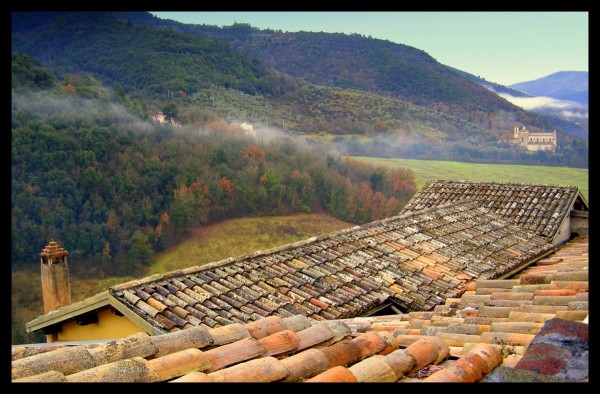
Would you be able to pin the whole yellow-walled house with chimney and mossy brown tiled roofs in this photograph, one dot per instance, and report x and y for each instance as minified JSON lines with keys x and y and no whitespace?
{"x":414,"y":261}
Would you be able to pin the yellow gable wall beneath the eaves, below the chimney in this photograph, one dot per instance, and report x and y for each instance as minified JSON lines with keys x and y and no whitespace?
{"x":109,"y":326}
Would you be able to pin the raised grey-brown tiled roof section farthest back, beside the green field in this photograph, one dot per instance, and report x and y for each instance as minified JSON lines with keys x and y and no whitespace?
{"x":538,"y":208}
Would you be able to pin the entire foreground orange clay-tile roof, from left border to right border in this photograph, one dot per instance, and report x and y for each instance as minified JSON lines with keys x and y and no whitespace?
{"x":462,"y":341}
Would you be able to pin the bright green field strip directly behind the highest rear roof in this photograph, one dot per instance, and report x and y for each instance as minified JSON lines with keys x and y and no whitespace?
{"x":425,"y":170}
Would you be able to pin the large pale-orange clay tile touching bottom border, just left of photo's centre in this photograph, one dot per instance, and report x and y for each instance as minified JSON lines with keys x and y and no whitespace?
{"x":262,"y":370}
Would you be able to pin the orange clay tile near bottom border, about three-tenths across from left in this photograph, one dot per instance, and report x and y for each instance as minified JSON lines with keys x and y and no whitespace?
{"x":178,"y":364}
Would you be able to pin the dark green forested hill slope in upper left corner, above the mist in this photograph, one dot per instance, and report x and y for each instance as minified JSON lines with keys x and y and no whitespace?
{"x":143,"y":60}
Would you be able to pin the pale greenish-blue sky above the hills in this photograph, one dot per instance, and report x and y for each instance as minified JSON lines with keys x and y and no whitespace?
{"x":502,"y":47}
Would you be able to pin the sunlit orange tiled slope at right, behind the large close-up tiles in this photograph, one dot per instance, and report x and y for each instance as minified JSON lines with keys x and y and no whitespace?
{"x":505,"y":313}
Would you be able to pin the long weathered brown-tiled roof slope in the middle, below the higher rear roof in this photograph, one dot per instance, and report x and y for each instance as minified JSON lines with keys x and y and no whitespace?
{"x":416,"y":260}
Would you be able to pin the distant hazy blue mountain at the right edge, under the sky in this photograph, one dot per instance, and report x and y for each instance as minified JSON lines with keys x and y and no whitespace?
{"x":562,"y":85}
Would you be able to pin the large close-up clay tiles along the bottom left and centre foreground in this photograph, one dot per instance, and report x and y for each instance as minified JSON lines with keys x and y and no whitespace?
{"x":272,"y":349}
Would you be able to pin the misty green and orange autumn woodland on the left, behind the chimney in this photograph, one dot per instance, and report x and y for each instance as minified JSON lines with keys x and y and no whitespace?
{"x":113,"y":189}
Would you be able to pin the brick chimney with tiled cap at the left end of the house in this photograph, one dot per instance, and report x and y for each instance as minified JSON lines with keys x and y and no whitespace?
{"x":56,"y":289}
